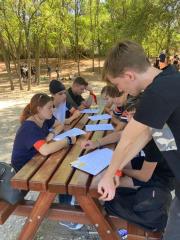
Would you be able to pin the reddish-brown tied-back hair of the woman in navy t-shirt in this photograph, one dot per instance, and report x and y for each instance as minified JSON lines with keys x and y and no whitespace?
{"x":38,"y":100}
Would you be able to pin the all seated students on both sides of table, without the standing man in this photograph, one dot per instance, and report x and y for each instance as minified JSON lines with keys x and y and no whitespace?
{"x":45,"y":116}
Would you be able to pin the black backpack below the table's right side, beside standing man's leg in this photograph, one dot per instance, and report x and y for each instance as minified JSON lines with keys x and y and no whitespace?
{"x":147,"y":206}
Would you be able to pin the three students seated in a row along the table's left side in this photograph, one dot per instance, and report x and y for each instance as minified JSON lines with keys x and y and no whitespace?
{"x":45,"y":117}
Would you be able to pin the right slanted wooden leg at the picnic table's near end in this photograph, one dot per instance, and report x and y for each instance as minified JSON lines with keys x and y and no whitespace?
{"x":95,"y":213}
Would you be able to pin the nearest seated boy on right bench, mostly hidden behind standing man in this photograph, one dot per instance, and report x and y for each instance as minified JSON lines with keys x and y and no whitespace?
{"x":148,"y":168}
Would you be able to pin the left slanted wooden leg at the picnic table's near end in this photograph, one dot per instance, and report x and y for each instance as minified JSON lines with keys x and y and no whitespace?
{"x":37,"y":215}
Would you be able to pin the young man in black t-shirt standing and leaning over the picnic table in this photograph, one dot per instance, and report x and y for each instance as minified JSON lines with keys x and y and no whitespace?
{"x":157,"y":117}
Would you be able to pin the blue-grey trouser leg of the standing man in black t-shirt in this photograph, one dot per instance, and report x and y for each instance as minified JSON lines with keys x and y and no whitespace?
{"x":172,"y":231}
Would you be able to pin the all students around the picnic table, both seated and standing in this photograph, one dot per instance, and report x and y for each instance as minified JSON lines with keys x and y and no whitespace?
{"x":147,"y":126}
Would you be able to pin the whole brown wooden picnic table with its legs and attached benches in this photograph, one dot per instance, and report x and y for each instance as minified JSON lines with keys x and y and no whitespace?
{"x":53,"y":175}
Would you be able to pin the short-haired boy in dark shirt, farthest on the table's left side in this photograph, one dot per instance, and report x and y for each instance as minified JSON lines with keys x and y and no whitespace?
{"x":74,"y":93}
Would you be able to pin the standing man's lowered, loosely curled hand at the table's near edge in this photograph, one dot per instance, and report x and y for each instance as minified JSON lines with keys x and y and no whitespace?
{"x":106,"y":188}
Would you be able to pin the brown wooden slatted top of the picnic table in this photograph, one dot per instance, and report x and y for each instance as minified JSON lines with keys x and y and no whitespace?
{"x":55,"y":173}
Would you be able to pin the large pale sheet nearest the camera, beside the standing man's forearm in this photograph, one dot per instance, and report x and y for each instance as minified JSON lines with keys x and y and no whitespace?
{"x":94,"y":162}
